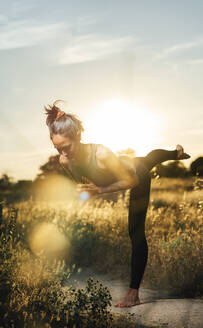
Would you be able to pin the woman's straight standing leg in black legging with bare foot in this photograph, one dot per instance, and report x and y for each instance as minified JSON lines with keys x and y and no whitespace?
{"x":139,"y":200}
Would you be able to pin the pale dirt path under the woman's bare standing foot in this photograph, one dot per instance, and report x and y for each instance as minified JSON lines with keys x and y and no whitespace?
{"x":157,"y":308}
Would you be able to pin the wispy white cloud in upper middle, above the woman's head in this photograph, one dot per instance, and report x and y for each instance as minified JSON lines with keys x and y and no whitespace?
{"x":92,"y":47}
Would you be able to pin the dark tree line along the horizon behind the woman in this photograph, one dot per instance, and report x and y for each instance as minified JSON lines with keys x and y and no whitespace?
{"x":24,"y":189}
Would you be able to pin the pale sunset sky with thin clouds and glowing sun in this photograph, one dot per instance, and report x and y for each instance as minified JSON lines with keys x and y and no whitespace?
{"x":131,"y":70}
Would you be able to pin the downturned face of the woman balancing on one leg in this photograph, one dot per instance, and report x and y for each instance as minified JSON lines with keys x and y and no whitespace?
{"x":66,"y":146}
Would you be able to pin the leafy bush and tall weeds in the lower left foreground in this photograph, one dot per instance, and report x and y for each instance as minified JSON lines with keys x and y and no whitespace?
{"x":32,"y":291}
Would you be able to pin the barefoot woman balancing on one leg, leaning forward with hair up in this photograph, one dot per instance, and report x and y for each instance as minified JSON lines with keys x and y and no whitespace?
{"x":98,"y":170}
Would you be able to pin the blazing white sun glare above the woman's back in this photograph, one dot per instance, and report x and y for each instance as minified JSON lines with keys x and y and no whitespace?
{"x":119,"y":125}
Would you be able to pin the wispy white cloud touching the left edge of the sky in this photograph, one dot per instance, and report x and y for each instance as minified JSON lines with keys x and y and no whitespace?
{"x":23,"y":33}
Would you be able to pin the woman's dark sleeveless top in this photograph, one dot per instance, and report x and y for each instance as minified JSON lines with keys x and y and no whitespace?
{"x":100,"y":177}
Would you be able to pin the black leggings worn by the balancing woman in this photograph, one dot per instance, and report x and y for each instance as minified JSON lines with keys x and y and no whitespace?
{"x":139,"y":200}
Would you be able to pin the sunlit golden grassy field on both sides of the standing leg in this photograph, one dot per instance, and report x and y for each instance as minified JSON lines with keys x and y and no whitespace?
{"x":43,"y":242}
